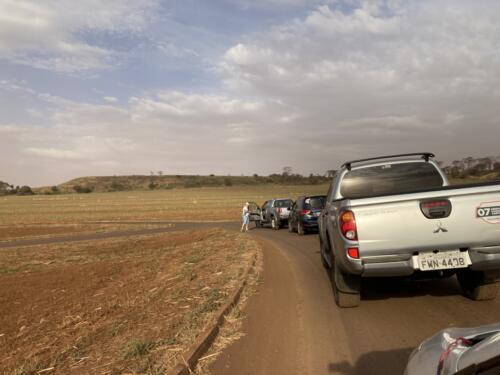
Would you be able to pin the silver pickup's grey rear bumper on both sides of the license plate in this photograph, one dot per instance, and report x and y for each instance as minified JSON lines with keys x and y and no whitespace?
{"x":482,"y":259}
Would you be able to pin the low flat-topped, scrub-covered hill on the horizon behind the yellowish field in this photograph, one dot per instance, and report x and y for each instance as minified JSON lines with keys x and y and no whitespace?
{"x":144,"y":182}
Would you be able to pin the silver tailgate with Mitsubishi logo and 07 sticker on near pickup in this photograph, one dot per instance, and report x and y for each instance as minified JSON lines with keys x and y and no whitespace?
{"x":394,"y":224}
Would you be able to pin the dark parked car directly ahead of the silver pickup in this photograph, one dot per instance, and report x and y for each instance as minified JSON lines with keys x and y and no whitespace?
{"x":305,"y":212}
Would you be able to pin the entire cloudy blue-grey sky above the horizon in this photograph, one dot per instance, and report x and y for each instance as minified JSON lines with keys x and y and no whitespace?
{"x":237,"y":87}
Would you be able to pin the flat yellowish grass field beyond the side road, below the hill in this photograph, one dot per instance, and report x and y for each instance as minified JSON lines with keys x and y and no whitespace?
{"x":205,"y":204}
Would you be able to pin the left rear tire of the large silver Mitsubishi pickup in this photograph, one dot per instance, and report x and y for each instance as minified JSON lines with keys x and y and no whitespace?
{"x":346,"y":288}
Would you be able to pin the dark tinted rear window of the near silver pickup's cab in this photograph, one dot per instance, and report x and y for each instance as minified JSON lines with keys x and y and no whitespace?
{"x":390,"y":179}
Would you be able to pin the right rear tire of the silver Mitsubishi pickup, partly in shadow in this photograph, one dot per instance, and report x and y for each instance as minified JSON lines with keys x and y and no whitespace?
{"x":475,"y":286}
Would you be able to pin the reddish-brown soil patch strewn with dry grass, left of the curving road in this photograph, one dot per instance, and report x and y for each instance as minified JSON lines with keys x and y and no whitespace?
{"x":117,"y":306}
